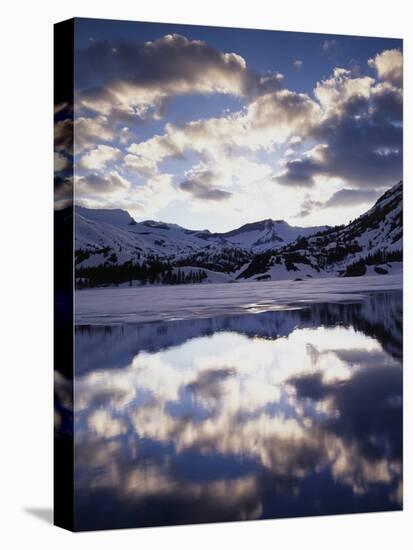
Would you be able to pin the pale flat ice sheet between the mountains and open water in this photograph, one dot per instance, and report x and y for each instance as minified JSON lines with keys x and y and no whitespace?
{"x":134,"y":305}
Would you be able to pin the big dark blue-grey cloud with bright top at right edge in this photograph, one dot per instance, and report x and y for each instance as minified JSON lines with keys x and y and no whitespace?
{"x":361,"y":132}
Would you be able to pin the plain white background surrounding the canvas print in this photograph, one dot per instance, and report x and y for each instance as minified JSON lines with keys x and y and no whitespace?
{"x":26,"y":272}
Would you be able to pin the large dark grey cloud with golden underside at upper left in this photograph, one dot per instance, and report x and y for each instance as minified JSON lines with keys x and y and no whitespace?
{"x":136,"y":79}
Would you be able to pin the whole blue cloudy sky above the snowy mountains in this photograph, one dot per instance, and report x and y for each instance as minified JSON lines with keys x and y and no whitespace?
{"x":212,"y":128}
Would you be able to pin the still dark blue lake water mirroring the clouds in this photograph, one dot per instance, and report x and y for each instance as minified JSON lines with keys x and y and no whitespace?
{"x":275,"y":414}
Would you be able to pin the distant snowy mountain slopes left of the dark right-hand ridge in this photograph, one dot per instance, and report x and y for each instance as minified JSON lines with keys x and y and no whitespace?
{"x":116,"y":230}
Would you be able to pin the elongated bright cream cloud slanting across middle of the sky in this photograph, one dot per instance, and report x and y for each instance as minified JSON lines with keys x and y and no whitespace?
{"x":268,"y":120}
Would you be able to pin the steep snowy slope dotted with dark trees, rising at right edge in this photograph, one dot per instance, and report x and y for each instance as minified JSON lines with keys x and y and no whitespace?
{"x":370,"y":245}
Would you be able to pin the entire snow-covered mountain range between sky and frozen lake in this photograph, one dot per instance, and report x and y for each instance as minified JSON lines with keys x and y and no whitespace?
{"x":111,"y":248}
